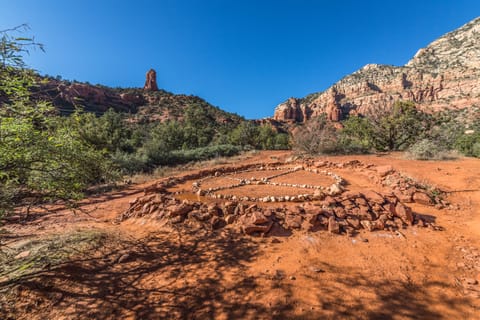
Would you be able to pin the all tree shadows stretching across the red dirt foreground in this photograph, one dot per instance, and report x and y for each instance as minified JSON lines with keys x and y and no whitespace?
{"x":191,"y":276}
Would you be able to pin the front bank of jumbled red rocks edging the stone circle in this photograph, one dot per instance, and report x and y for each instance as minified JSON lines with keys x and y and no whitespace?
{"x":340,"y":214}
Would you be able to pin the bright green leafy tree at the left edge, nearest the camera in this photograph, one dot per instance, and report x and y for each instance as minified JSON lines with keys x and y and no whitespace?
{"x":40,"y":158}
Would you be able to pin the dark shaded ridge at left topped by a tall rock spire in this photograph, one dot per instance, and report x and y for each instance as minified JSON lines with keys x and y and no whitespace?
{"x":151,"y":105}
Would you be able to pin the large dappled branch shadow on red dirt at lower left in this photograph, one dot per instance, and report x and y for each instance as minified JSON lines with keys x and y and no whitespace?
{"x":180,"y":275}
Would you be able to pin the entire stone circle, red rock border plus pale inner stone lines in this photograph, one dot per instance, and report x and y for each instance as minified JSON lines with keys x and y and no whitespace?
{"x":333,"y":208}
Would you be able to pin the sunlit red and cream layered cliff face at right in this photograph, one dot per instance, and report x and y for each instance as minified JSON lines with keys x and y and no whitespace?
{"x":445,"y":74}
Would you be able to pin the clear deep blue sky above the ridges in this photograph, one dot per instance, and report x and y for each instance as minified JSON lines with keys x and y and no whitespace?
{"x":243,"y":56}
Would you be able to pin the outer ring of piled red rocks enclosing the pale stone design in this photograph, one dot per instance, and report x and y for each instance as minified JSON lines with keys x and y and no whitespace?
{"x":342,"y":213}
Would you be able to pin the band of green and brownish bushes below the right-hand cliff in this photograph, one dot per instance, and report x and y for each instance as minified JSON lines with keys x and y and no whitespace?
{"x":421,"y":135}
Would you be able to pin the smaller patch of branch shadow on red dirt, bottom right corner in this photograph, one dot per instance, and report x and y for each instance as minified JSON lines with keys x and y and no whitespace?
{"x":352,"y":295}
